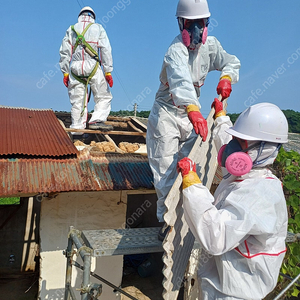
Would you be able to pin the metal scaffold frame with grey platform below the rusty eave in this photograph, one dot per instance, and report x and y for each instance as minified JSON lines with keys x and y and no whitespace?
{"x":99,"y":243}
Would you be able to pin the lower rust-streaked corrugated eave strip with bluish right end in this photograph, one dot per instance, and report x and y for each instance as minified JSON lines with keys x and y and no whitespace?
{"x":105,"y":172}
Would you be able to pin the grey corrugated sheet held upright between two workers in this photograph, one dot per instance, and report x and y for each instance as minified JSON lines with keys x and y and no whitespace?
{"x":179,"y":242}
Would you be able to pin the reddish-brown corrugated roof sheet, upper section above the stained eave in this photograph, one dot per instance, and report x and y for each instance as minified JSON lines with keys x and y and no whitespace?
{"x":32,"y":132}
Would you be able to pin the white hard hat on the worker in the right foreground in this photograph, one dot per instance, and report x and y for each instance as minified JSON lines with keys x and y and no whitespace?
{"x":261,"y":122}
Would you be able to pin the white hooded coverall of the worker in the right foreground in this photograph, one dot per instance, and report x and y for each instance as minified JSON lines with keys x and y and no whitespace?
{"x":241,"y":230}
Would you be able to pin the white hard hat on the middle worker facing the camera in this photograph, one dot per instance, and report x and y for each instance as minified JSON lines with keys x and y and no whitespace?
{"x":192,"y":9}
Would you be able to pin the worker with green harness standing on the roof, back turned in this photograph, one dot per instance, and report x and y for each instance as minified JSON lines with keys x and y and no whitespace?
{"x":81,"y":65}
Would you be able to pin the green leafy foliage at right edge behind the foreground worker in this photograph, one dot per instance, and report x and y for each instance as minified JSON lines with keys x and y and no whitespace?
{"x":287,"y":167}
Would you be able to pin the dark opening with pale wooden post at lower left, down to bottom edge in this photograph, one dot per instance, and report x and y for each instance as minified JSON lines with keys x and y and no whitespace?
{"x":19,"y":257}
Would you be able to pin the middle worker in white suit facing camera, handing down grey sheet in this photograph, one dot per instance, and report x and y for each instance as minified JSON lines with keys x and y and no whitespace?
{"x":176,"y":110}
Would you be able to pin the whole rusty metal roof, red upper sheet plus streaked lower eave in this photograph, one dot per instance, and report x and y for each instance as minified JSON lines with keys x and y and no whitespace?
{"x":37,"y":156}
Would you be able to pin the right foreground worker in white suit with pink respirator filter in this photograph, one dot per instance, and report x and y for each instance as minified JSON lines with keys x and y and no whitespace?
{"x":243,"y":227}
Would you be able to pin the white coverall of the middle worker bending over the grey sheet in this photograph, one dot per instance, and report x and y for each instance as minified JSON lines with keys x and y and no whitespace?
{"x":170,"y":134}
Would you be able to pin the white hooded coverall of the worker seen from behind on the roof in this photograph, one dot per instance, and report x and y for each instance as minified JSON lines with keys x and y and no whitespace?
{"x":81,"y":63}
